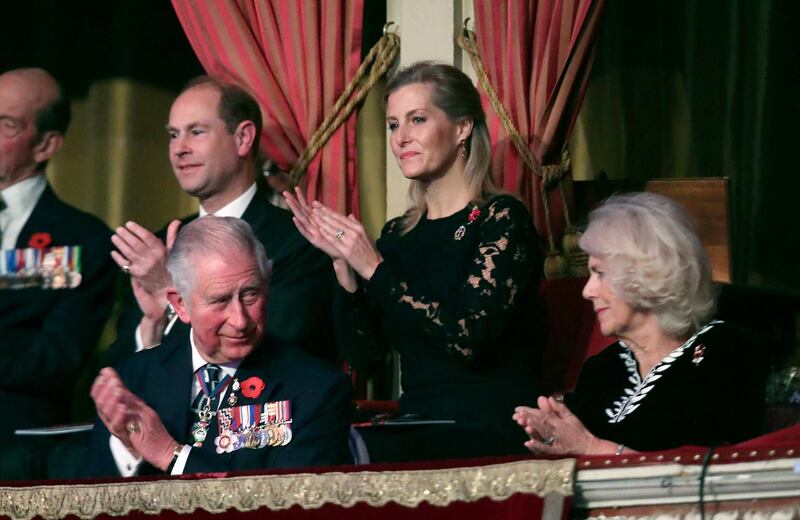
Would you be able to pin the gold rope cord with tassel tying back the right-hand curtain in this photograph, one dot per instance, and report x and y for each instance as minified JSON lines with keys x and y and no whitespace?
{"x":551,"y":174}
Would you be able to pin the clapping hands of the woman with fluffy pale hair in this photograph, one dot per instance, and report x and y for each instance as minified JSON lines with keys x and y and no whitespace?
{"x":554,"y":430}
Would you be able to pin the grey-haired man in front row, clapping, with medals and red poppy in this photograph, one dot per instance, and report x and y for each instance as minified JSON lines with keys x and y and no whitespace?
{"x":223,"y":395}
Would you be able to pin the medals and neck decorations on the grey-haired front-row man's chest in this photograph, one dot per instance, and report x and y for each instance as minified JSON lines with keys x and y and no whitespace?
{"x":249,"y":426}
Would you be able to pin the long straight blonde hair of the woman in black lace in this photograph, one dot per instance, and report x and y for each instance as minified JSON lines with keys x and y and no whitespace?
{"x":453,"y":93}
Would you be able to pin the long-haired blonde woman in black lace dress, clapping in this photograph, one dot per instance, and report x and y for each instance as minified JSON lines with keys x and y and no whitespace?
{"x":451,"y":284}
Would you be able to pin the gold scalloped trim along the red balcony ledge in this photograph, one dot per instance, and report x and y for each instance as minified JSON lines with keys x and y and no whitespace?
{"x":409,"y":488}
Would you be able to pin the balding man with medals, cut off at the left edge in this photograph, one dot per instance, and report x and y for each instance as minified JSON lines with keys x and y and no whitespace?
{"x":54,"y":305}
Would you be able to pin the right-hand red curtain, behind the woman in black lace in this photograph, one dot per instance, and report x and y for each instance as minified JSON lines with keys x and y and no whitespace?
{"x":538,"y":54}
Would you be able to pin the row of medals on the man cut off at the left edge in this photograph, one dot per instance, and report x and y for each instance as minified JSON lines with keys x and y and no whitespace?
{"x":49,"y":268}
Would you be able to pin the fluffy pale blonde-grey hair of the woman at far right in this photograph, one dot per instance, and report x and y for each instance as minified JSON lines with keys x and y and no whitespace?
{"x":654,"y":259}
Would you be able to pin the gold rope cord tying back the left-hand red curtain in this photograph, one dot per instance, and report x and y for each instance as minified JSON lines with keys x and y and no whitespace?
{"x":377,"y":62}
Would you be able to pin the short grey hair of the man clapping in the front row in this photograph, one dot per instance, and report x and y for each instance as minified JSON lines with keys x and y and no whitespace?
{"x":207,"y":236}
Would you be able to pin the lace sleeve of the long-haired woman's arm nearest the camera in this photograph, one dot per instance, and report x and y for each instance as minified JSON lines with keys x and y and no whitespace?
{"x":504,"y":260}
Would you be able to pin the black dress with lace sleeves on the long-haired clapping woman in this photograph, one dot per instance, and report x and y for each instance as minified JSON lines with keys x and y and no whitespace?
{"x":457,"y":297}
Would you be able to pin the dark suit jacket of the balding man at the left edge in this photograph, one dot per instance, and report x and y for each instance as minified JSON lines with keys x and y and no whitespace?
{"x":46,"y":335}
